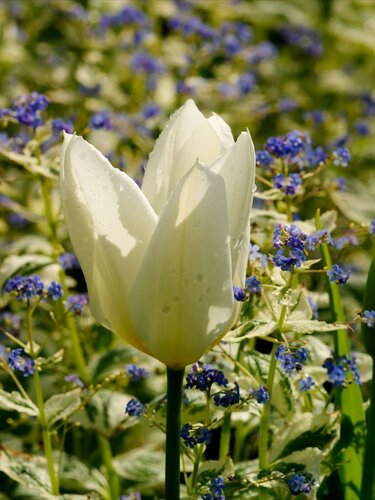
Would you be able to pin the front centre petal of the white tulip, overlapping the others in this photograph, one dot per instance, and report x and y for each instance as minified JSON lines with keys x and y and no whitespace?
{"x":182,"y":299}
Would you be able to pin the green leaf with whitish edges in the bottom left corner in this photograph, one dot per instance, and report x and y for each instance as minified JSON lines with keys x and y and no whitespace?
{"x":28,"y":470}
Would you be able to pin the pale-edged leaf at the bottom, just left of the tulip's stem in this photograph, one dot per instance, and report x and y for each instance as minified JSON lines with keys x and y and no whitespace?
{"x":144,"y":467}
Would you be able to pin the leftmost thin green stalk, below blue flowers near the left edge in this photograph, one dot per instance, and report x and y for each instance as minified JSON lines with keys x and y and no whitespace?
{"x":46,"y":436}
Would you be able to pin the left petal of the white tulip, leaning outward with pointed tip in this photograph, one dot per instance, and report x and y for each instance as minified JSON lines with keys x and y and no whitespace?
{"x":102,"y":208}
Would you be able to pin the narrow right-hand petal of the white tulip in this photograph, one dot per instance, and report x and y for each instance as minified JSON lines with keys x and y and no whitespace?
{"x":237,"y":168}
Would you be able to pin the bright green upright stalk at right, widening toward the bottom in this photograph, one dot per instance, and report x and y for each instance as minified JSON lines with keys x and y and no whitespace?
{"x":348,"y":399}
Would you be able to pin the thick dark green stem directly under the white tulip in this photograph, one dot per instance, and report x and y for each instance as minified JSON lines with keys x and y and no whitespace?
{"x":172,"y":459}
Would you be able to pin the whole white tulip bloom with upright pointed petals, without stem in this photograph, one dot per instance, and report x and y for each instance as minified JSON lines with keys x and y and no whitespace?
{"x":161,"y":261}
